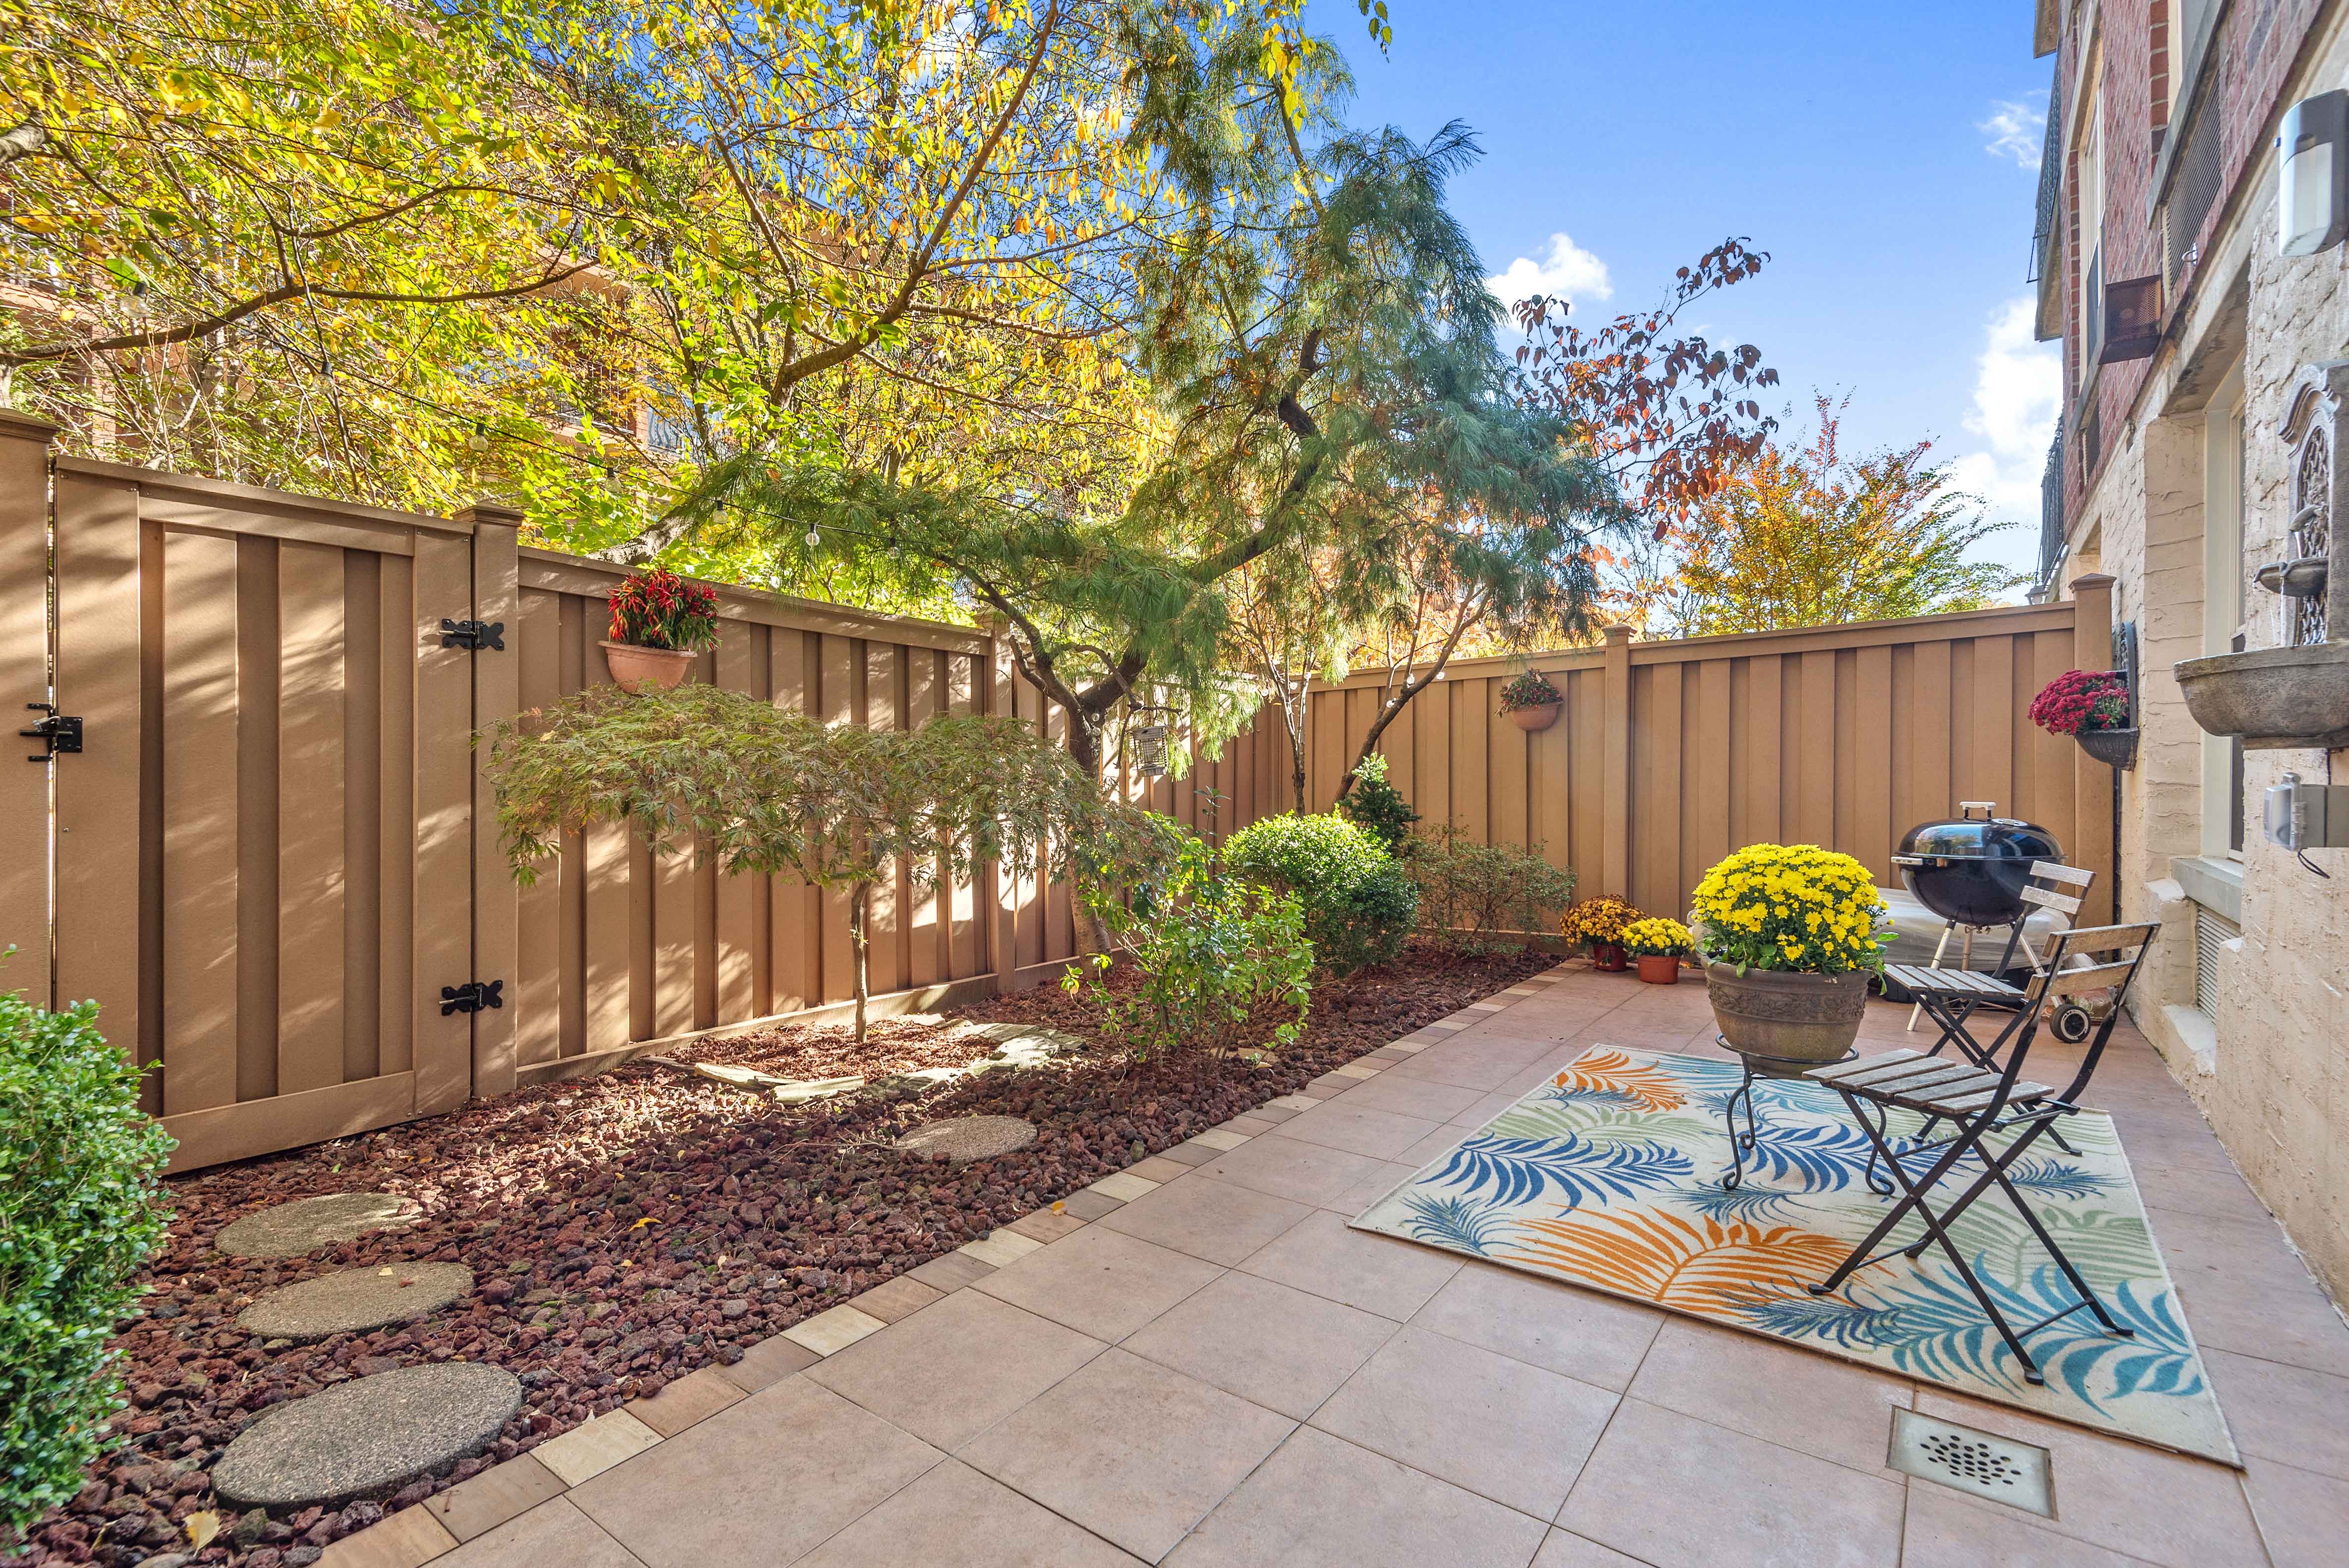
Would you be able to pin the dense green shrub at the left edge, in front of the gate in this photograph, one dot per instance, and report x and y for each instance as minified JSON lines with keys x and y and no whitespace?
{"x":79,"y":1215}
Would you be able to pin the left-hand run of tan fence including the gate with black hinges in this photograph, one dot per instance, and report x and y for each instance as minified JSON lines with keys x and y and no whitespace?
{"x":276,"y":853}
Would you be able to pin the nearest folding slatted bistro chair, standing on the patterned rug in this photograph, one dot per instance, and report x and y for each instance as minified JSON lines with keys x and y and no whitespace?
{"x":1977,"y":1104}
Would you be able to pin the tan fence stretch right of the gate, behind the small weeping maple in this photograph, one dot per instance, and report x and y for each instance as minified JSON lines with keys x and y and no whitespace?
{"x":614,"y":949}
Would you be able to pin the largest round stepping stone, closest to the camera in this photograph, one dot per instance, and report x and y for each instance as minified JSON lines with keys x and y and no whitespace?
{"x":368,"y":1438}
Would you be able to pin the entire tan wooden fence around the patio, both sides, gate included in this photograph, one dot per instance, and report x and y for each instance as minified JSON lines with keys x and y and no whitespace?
{"x":274,"y":858}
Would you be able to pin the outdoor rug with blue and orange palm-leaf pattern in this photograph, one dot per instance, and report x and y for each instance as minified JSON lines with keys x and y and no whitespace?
{"x":1613,"y":1172}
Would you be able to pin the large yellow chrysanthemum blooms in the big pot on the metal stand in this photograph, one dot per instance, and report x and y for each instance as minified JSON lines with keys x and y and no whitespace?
{"x":1791,"y":907}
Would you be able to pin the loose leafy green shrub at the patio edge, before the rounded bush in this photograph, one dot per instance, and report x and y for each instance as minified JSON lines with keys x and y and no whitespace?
{"x":1225,"y":966}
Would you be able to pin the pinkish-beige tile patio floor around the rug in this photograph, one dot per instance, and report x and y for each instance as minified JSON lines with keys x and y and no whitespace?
{"x":1213,"y":1370}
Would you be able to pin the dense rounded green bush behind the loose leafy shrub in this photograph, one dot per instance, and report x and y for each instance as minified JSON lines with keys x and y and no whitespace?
{"x":1359,"y":903}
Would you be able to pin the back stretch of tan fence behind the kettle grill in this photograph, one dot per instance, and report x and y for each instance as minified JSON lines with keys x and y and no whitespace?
{"x":1671,"y":755}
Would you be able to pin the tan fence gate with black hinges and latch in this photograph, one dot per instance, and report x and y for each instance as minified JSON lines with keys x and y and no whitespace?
{"x":264,"y":844}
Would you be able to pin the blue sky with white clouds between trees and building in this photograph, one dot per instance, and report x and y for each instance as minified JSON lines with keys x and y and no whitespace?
{"x":1885,"y":156}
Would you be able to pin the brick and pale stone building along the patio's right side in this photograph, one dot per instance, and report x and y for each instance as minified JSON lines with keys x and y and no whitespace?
{"x":2207,"y":379}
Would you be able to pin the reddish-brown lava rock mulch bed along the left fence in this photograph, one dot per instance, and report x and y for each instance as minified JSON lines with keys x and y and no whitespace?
{"x":638,"y":1226}
